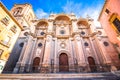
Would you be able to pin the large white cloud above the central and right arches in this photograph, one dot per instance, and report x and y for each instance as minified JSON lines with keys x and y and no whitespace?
{"x":79,"y":10}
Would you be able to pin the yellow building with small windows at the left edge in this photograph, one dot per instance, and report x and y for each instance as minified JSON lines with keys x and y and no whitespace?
{"x":9,"y":32}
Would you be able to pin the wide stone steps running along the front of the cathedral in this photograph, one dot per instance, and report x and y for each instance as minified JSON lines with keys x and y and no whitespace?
{"x":60,"y":76}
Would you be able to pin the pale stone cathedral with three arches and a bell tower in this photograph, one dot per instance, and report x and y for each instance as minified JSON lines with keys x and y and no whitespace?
{"x":60,"y":43}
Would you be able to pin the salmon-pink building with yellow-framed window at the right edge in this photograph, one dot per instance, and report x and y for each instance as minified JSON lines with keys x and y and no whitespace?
{"x":110,"y":21}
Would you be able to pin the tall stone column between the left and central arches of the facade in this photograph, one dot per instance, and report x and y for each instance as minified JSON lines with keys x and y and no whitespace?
{"x":46,"y":65}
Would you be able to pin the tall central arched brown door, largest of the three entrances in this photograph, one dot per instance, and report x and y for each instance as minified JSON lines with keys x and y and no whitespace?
{"x":63,"y":63}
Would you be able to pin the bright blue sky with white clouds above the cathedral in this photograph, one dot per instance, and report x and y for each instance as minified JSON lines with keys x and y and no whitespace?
{"x":43,"y":8}
